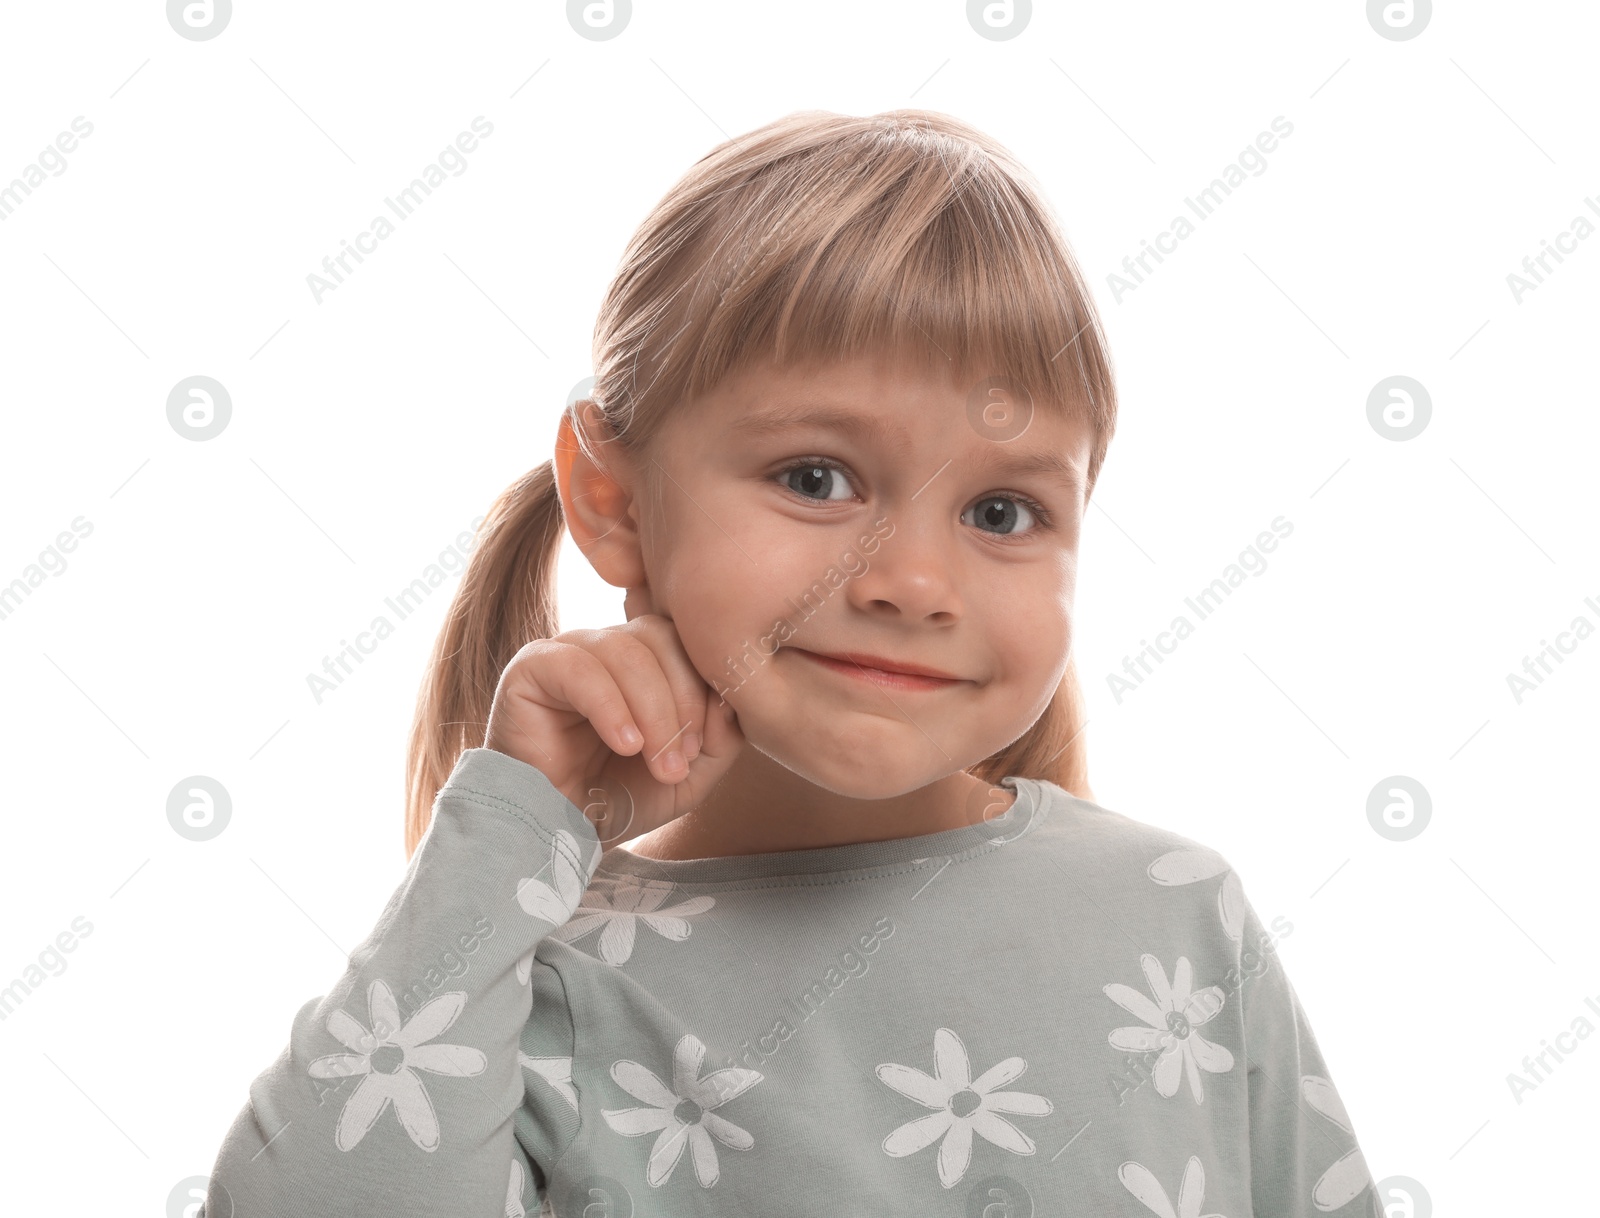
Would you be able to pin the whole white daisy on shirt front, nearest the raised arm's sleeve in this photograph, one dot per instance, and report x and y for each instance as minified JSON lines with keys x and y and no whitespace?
{"x":682,"y":1112}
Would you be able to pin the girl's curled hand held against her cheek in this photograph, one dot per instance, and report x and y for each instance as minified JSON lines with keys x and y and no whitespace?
{"x":569,"y":707}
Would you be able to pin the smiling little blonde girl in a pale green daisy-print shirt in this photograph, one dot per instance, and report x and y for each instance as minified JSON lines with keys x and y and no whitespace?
{"x":790,"y":895}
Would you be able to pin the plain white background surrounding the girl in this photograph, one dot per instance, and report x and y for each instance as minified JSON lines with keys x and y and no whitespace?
{"x":372,"y":428}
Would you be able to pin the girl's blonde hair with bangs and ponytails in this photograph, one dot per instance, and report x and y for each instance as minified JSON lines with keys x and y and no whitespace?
{"x":815,"y":238}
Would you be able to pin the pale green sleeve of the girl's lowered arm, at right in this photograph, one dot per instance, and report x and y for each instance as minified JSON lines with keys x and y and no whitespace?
{"x":1303,"y":1153}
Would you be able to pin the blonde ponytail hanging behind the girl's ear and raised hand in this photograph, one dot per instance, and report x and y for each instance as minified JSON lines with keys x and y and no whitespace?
{"x":506,"y":599}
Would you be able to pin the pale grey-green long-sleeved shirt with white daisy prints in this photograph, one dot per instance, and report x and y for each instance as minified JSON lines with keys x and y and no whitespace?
{"x":1058,"y":1011}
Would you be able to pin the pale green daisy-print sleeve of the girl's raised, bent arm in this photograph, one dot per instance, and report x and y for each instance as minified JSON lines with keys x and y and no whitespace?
{"x":399,"y":1089}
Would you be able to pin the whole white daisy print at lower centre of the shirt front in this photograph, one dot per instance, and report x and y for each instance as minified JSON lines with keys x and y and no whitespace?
{"x":962,"y":1107}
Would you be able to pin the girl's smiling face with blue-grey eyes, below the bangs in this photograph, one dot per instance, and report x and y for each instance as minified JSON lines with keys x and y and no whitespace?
{"x":870,"y":511}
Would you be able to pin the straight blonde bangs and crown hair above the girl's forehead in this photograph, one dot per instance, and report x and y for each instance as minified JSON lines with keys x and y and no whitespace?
{"x":892,"y":238}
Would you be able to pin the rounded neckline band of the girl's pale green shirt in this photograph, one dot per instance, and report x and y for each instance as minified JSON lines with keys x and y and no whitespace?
{"x":1018,"y":820}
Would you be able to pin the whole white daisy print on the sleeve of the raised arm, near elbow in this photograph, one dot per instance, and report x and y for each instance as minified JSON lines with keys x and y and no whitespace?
{"x":390,"y":1056}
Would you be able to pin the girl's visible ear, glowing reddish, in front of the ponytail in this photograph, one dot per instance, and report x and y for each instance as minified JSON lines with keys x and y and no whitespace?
{"x":598,"y":500}
